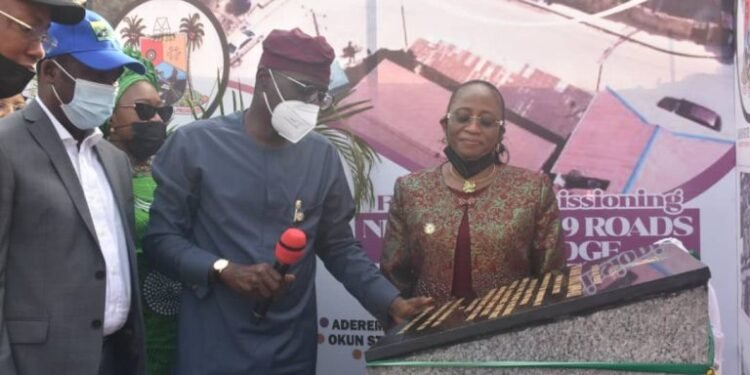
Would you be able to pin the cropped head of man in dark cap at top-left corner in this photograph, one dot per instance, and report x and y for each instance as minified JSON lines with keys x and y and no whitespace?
{"x":23,"y":25}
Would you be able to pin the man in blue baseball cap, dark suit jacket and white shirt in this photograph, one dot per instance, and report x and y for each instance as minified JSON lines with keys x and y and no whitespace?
{"x":68,"y":283}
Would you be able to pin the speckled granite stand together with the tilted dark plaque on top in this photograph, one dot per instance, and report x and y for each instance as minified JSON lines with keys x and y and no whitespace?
{"x":643,"y":311}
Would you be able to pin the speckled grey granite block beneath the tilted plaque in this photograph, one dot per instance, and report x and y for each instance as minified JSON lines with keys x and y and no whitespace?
{"x":666,"y":335}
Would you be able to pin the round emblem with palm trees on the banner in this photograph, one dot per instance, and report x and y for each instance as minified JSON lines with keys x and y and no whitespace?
{"x":185,"y":42}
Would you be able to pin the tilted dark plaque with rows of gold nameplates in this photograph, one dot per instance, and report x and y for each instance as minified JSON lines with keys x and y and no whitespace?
{"x":627,"y":277}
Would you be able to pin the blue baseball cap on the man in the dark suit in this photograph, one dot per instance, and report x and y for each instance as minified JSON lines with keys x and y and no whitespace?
{"x":92,"y":42}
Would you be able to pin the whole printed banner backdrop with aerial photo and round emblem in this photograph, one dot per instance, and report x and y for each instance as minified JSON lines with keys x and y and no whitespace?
{"x":626,"y":104}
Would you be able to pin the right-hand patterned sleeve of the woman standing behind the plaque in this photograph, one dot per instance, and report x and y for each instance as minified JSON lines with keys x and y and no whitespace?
{"x":548,"y":248}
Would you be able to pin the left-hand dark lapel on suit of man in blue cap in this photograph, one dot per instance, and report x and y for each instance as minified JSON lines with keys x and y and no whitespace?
{"x":42,"y":129}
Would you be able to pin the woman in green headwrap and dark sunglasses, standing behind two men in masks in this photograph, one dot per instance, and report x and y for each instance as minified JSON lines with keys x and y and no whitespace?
{"x":138,"y":127}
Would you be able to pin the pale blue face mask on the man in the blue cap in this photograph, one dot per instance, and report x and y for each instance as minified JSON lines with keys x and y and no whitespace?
{"x":92,"y":104}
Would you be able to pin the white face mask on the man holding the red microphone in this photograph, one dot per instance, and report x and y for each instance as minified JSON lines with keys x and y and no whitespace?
{"x":292,"y":119}
